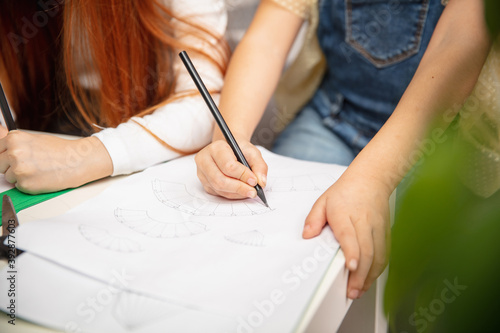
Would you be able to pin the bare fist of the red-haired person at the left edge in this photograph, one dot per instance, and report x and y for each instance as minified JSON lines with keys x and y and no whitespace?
{"x":43,"y":163}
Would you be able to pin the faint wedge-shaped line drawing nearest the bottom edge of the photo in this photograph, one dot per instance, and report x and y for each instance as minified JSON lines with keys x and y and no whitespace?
{"x":133,"y":311}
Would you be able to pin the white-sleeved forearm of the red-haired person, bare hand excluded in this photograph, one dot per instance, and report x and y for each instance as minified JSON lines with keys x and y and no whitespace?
{"x":182,"y":126}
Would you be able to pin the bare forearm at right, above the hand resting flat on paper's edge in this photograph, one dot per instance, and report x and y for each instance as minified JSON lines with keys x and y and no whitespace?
{"x":443,"y":81}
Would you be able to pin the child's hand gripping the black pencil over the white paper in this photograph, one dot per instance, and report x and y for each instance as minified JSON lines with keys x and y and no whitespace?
{"x":221,"y":174}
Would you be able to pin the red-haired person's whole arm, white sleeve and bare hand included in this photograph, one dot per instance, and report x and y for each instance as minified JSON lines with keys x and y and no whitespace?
{"x":42,"y":163}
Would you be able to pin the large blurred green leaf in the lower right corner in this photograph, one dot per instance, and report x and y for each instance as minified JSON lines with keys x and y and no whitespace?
{"x":444,"y":273}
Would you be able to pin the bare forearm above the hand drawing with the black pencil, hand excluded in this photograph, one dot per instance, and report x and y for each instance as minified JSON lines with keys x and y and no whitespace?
{"x":255,"y":68}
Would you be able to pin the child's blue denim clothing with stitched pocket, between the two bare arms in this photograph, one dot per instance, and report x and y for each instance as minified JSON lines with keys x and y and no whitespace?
{"x":373,"y":48}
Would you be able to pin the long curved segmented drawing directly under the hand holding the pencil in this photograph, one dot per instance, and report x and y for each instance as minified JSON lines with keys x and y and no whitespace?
{"x":177,"y":196}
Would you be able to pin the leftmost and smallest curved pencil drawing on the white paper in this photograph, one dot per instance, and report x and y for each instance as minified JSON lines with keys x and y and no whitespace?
{"x":104,"y":239}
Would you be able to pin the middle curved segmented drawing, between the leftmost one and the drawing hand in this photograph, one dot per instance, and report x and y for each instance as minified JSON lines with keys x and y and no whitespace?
{"x":141,"y":222}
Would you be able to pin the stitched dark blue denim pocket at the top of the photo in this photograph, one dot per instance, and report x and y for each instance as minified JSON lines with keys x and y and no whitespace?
{"x":385,"y":31}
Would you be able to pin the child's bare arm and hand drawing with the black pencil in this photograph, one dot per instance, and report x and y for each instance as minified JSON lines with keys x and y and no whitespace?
{"x":252,"y":76}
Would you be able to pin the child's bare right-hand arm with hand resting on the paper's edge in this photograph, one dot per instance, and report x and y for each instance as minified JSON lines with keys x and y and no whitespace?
{"x":356,"y":206}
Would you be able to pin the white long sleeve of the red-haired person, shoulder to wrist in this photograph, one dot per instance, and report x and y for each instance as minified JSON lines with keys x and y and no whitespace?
{"x":185,"y":124}
